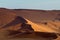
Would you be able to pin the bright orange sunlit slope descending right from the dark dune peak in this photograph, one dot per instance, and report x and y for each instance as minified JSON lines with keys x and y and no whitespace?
{"x":40,"y":28}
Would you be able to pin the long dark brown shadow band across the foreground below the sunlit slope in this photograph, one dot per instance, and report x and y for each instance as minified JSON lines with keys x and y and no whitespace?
{"x":17,"y":34}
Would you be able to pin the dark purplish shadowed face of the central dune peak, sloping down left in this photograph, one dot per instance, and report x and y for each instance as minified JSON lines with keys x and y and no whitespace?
{"x":17,"y":20}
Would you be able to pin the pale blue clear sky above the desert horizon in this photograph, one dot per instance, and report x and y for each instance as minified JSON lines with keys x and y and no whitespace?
{"x":31,"y":4}
